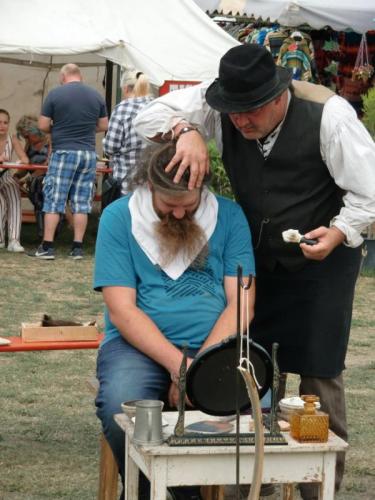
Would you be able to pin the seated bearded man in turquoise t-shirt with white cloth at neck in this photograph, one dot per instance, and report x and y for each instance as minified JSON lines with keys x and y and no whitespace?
{"x":166,"y":262}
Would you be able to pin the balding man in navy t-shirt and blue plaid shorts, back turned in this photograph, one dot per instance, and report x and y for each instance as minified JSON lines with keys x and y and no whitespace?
{"x":72,"y":113}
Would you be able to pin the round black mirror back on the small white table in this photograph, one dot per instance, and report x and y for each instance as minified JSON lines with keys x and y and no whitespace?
{"x":214,"y":384}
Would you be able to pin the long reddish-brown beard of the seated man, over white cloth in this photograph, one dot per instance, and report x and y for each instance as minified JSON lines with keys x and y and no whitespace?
{"x":183,"y":236}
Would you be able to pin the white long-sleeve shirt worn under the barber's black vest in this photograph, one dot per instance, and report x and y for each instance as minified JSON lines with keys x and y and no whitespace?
{"x":345,"y":145}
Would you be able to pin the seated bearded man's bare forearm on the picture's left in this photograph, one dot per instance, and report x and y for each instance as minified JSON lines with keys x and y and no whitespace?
{"x":138,"y":329}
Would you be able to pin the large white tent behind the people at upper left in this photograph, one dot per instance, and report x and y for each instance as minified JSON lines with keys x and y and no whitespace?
{"x":167,"y":40}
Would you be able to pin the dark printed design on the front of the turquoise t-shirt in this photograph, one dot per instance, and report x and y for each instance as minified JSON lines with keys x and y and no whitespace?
{"x":193,"y":282}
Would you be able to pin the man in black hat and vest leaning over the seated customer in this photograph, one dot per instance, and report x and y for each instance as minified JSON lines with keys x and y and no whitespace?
{"x":297,"y":157}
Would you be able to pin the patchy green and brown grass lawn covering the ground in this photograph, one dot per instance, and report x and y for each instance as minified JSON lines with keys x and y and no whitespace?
{"x":49,"y":431}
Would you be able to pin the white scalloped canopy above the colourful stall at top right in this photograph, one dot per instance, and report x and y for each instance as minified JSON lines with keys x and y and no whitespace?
{"x":340,"y":15}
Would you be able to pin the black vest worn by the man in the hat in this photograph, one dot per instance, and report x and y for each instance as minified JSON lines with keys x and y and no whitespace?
{"x":291,"y":189}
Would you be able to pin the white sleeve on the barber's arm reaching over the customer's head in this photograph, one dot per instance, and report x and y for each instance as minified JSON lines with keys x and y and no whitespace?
{"x":189,"y":105}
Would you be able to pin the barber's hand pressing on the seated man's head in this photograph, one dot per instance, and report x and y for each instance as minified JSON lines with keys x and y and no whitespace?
{"x":192,"y":153}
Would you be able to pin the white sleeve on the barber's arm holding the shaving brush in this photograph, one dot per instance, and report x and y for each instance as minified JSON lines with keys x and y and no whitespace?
{"x":349,"y":152}
